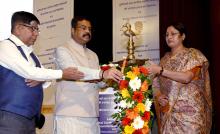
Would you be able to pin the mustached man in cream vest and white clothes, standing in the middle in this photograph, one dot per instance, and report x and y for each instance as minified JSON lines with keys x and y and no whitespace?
{"x":77,"y":102}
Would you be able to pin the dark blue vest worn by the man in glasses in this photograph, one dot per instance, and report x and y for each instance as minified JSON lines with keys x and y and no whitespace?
{"x":16,"y":96}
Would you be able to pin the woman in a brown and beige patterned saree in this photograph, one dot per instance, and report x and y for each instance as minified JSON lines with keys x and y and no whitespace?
{"x":182,"y":87}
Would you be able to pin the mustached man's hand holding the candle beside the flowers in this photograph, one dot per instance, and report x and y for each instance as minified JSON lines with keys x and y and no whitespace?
{"x":113,"y":74}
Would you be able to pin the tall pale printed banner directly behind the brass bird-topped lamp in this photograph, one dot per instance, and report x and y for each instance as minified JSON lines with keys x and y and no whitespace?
{"x":143,"y":17}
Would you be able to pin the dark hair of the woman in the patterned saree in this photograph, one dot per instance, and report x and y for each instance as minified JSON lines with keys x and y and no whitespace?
{"x":182,"y":29}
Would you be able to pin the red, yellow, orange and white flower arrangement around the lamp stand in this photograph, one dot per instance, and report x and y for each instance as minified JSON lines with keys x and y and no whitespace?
{"x":133,"y":98}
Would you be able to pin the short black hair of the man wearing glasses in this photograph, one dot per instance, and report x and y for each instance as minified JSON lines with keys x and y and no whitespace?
{"x":22,"y":17}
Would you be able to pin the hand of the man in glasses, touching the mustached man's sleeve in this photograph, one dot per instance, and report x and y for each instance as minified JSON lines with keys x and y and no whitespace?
{"x":72,"y":73}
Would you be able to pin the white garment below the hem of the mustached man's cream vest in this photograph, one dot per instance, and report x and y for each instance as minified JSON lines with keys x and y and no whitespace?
{"x":76,"y":125}
